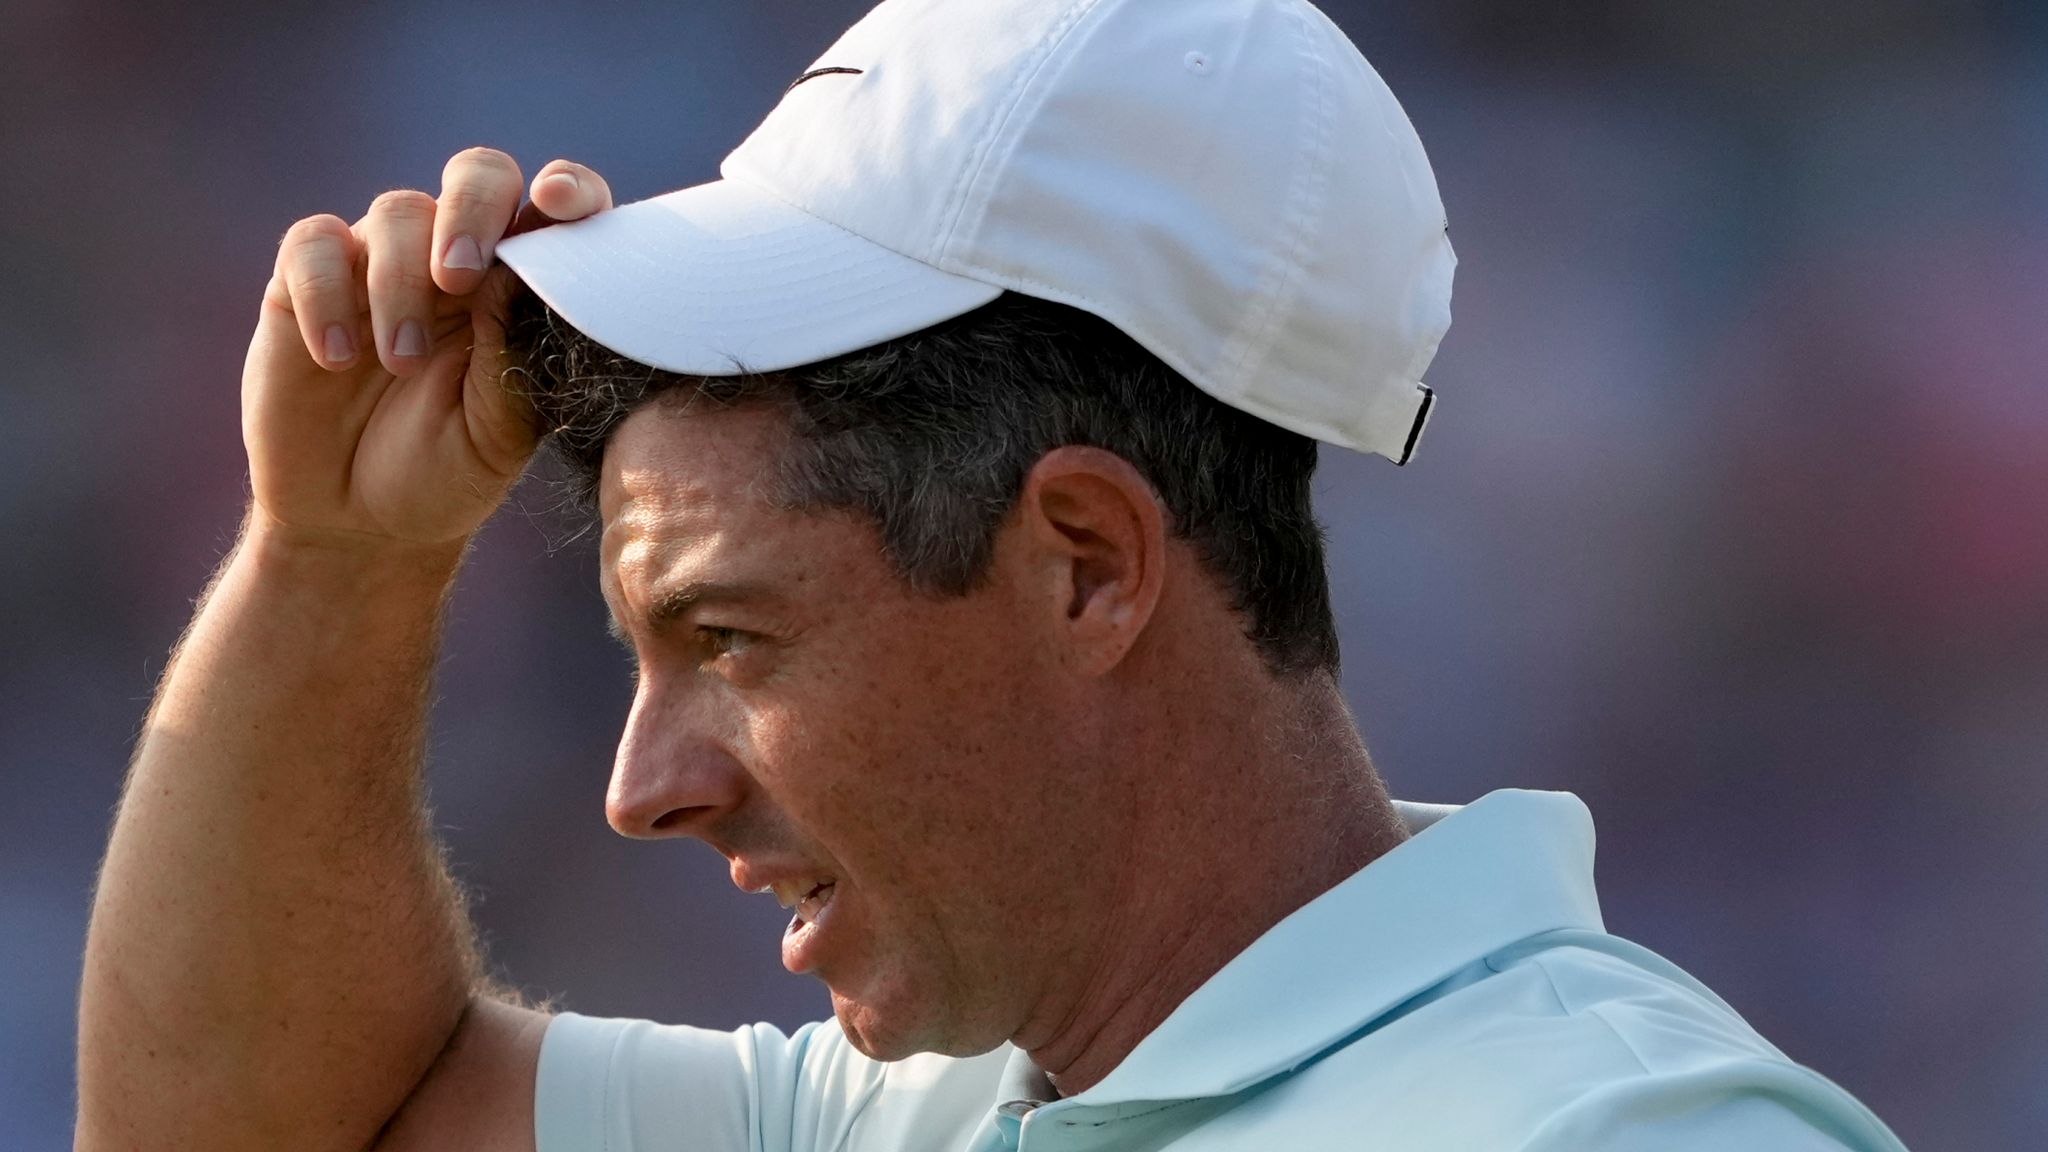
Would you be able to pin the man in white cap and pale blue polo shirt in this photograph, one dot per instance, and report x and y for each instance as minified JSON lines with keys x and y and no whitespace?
{"x":953,"y":458}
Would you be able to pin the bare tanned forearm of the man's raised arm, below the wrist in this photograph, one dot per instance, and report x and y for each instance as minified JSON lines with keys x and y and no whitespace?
{"x":278,"y":952}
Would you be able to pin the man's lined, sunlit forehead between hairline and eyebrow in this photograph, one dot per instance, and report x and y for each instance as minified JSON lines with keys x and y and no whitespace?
{"x":687,"y":485}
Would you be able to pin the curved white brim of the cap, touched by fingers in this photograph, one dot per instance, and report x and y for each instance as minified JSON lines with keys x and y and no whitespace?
{"x":726,"y":280}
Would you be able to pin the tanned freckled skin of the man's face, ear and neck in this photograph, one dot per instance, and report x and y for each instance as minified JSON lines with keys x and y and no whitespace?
{"x":1052,"y":807}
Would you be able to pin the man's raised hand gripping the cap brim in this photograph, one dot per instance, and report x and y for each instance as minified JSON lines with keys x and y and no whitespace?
{"x":374,"y":407}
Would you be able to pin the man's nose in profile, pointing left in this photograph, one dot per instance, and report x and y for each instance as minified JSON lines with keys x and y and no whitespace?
{"x":673,"y":776}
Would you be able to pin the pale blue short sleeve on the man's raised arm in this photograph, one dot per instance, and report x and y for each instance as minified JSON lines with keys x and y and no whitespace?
{"x":642,"y":1087}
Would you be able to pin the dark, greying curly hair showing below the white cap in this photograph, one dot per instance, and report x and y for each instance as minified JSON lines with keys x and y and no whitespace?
{"x":931,"y":436}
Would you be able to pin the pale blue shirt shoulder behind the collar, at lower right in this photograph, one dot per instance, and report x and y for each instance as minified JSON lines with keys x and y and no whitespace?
{"x":1574,"y":1040}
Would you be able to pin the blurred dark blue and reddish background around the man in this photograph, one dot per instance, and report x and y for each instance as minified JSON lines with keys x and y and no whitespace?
{"x":1734,"y":518}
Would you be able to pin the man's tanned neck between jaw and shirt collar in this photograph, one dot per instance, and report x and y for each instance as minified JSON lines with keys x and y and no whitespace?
{"x":1236,"y":819}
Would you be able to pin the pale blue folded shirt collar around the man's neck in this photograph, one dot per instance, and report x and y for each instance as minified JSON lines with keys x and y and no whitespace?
{"x":1469,"y":882}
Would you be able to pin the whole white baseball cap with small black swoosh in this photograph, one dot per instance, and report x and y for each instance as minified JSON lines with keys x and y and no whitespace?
{"x":1226,"y":181}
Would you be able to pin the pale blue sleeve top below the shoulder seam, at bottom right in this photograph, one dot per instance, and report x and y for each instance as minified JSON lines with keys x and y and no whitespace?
{"x":1750,"y":1104}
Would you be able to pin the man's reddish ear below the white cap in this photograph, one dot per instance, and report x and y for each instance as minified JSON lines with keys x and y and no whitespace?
{"x":1097,"y":534}
